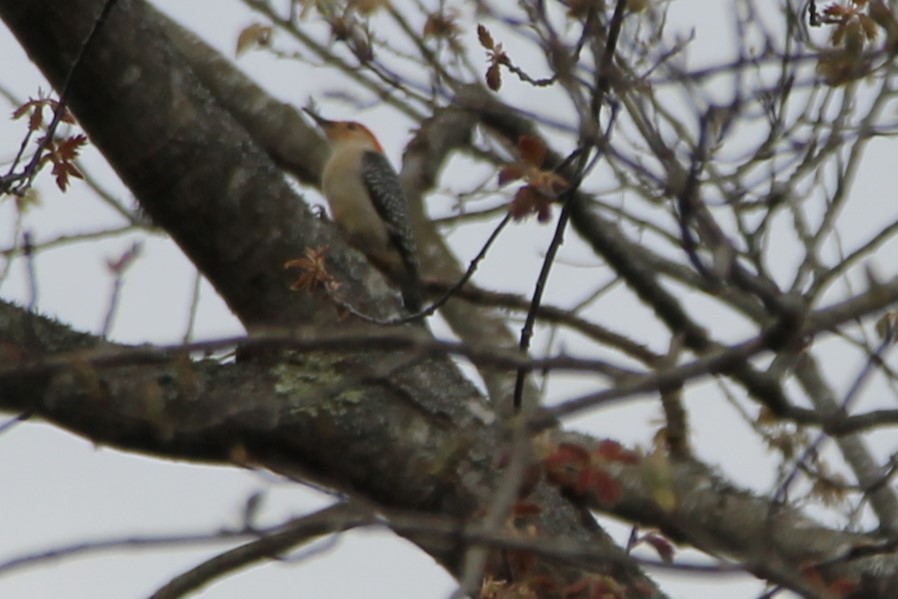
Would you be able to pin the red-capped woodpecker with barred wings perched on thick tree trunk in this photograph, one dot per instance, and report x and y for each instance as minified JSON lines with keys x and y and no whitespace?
{"x":368,"y":205}
